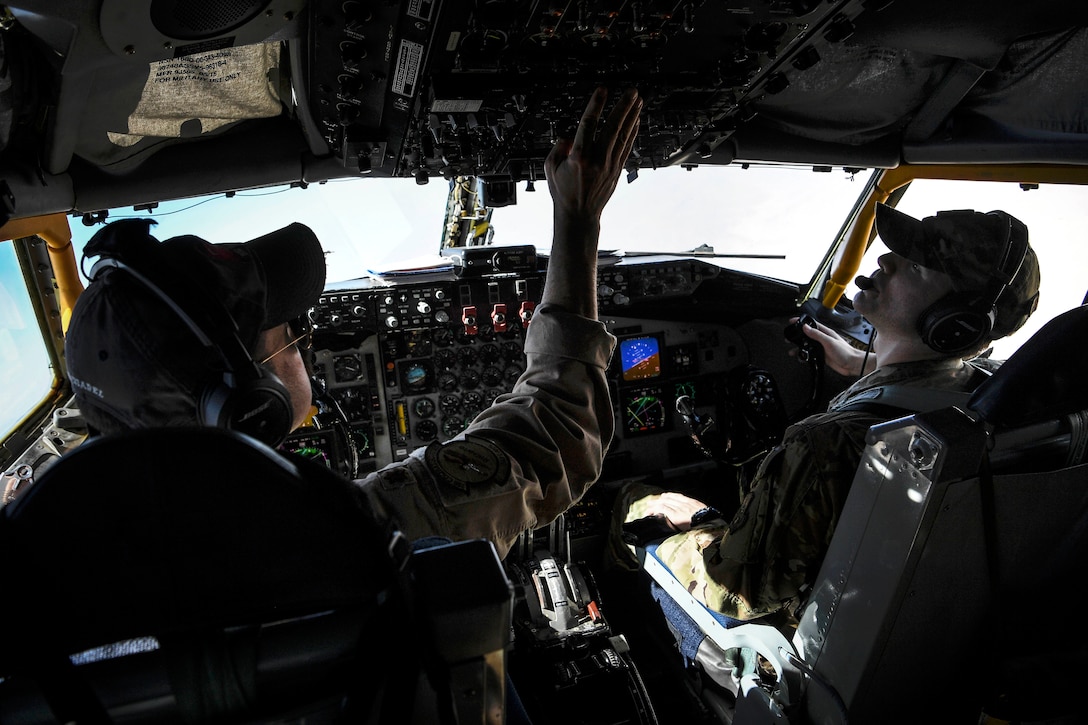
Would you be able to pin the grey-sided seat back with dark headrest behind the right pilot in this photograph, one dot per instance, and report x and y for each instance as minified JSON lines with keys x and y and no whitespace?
{"x":936,"y":600}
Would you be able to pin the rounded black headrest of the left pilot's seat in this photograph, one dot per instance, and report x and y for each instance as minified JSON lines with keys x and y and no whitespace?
{"x":171,"y":531}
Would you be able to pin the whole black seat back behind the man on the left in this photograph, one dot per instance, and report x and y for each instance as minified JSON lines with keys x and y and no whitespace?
{"x":199,"y":575}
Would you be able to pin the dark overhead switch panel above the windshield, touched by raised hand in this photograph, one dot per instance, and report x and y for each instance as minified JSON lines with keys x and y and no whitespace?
{"x":468,"y":89}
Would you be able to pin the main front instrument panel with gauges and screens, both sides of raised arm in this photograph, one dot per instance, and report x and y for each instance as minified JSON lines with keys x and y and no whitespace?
{"x":405,"y":362}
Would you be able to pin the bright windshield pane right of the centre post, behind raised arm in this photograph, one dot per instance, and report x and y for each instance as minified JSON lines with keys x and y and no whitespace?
{"x":772,"y":222}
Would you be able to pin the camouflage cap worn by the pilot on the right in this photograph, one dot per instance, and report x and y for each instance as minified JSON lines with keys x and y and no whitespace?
{"x":982,"y":252}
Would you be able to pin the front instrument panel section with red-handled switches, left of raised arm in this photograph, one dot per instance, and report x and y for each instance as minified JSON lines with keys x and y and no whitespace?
{"x":414,"y":363}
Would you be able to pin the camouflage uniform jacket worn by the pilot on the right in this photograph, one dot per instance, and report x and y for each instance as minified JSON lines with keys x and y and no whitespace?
{"x":771,"y":554}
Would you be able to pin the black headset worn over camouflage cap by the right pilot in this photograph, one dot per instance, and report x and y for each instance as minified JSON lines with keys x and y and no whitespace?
{"x":962,"y":321}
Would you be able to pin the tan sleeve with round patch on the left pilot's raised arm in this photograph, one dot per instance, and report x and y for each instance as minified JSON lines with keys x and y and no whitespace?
{"x":522,"y":462}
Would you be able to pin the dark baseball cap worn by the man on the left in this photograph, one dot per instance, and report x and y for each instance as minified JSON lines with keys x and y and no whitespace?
{"x":133,"y":355}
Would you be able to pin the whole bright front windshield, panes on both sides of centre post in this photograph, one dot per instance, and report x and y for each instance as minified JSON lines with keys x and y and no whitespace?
{"x":773,"y":222}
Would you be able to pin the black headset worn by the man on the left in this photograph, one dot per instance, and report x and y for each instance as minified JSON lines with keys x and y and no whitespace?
{"x":249,"y":399}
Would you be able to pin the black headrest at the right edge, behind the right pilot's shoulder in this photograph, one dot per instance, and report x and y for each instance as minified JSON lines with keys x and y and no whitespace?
{"x":1045,"y":379}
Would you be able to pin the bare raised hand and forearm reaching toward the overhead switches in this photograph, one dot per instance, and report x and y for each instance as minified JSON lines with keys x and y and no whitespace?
{"x":583,"y":175}
